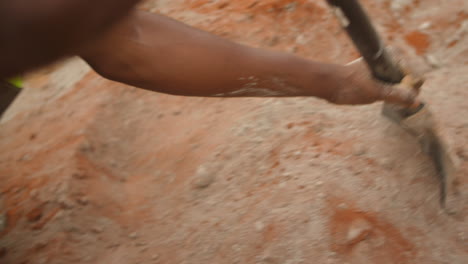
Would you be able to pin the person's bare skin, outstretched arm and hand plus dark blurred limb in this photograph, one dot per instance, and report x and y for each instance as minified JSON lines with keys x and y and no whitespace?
{"x":157,"y":53}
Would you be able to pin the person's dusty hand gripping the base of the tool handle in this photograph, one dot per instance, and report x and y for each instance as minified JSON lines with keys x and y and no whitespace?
{"x":354,"y":84}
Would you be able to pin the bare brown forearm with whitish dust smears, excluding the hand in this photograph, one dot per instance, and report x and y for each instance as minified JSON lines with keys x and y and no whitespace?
{"x":157,"y":53}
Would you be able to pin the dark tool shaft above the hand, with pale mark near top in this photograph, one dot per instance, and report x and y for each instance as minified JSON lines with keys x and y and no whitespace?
{"x":359,"y":27}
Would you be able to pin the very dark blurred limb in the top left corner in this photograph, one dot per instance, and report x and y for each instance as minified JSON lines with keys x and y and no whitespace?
{"x":34,"y":33}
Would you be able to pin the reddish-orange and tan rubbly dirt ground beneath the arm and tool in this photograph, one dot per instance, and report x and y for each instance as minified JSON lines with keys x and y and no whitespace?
{"x":97,"y":172}
